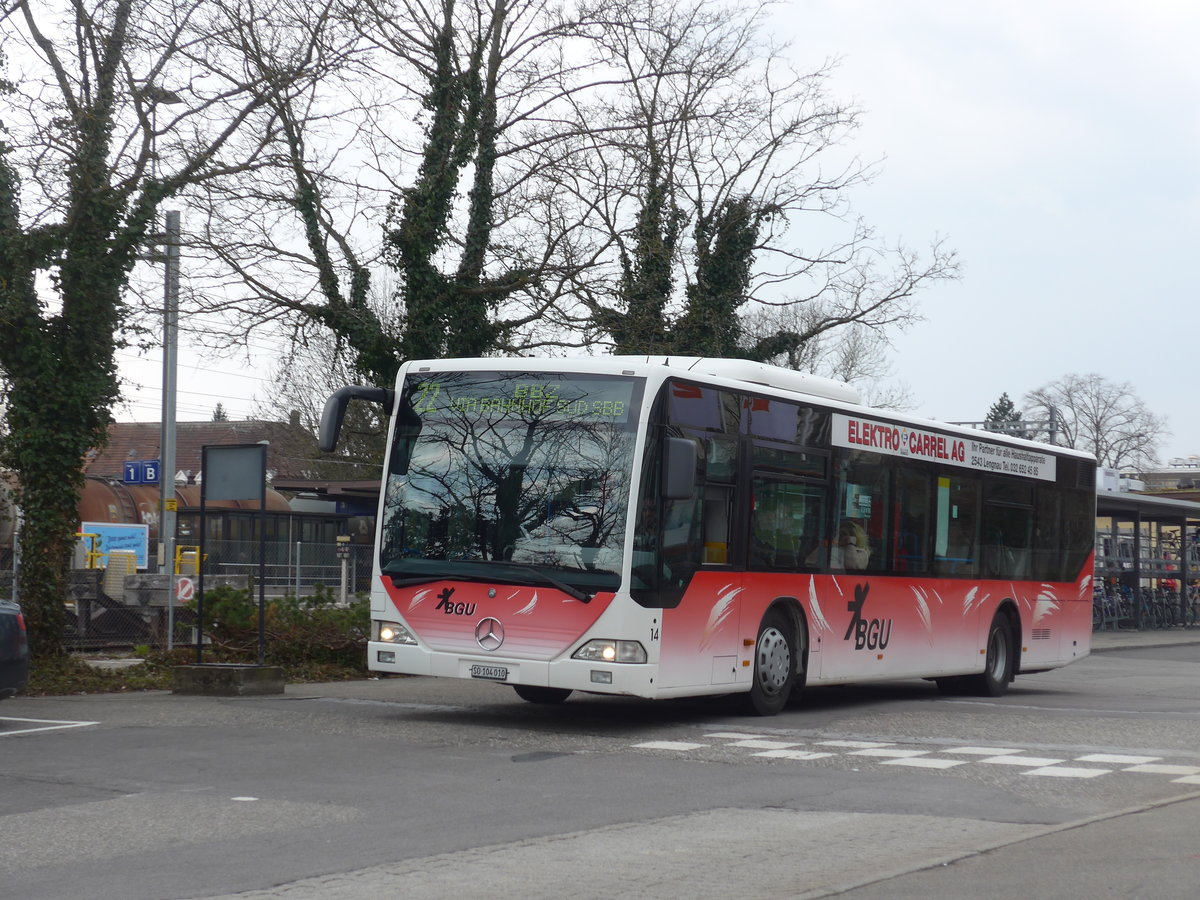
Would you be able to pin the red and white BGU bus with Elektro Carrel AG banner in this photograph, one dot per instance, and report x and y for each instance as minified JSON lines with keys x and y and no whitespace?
{"x":669,"y":527}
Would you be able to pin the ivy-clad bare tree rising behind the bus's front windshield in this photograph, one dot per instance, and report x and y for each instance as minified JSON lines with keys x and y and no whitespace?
{"x":423,"y":153}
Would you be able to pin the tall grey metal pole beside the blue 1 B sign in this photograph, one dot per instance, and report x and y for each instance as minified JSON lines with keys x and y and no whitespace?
{"x":167,"y":442}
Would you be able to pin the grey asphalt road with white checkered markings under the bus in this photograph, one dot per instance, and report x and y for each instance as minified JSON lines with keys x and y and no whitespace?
{"x":1079,"y":783}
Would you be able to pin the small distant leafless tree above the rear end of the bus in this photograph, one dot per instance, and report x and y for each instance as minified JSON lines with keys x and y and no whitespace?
{"x":1107,"y":419}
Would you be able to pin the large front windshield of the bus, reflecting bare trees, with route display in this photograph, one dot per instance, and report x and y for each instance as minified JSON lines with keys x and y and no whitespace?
{"x":496,"y":476}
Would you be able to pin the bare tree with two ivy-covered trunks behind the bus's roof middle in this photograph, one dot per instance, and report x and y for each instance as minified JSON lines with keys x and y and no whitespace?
{"x":718,"y":149}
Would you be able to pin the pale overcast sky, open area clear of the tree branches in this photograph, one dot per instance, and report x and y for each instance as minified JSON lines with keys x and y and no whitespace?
{"x":1054,"y":145}
